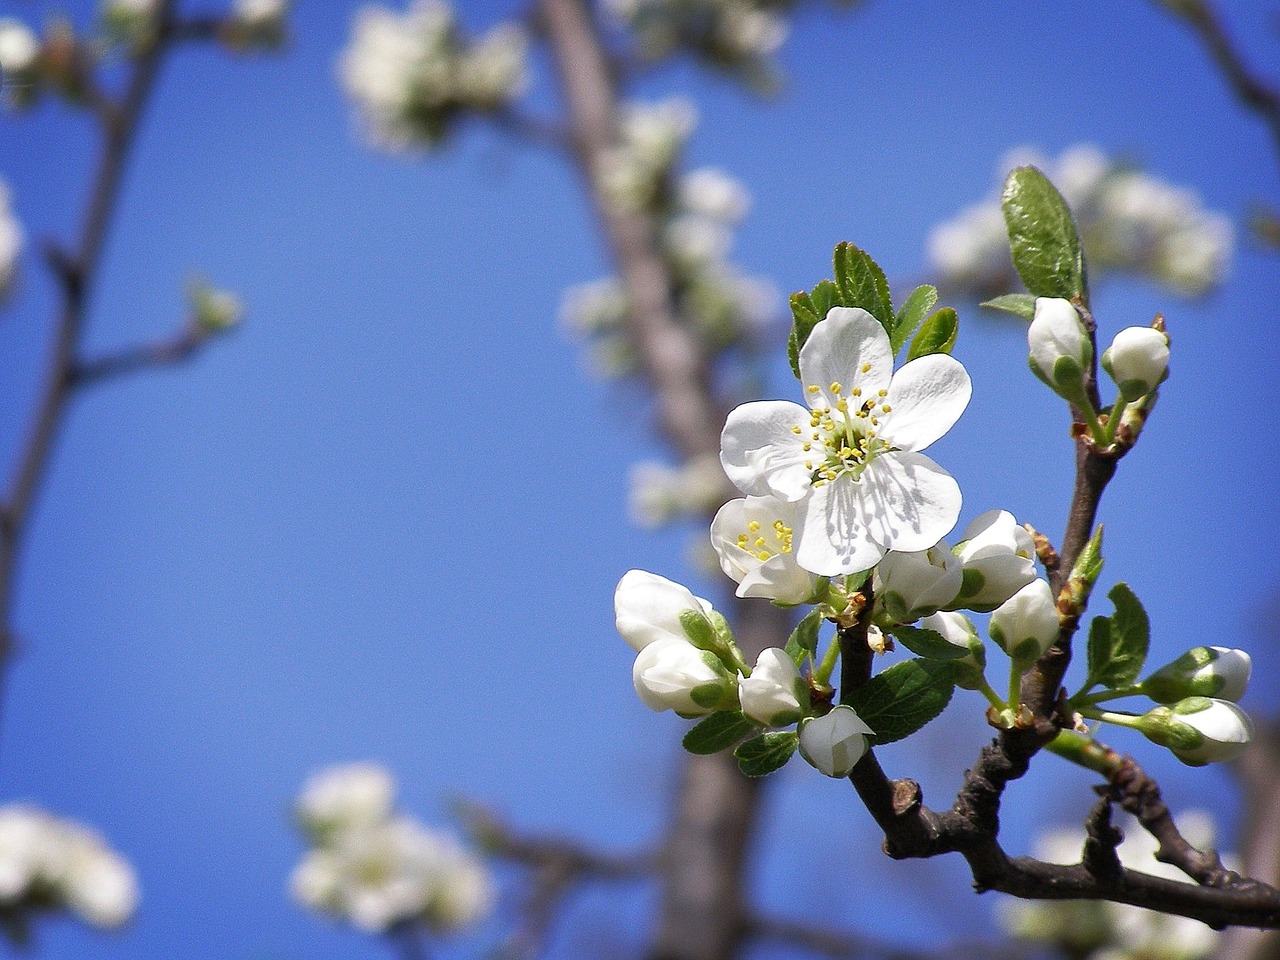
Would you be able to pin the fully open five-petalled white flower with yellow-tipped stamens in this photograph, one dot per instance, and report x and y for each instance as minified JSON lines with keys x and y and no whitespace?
{"x":852,"y":458}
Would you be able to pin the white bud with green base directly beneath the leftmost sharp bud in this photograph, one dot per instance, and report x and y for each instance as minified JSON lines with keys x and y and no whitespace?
{"x":674,"y":675}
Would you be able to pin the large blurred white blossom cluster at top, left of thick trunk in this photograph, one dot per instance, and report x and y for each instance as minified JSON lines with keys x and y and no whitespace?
{"x":414,"y":75}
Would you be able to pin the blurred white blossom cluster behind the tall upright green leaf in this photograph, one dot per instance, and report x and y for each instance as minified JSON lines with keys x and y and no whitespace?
{"x":1130,"y":222}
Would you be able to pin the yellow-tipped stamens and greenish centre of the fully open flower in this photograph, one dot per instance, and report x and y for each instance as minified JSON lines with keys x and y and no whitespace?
{"x":847,"y":438}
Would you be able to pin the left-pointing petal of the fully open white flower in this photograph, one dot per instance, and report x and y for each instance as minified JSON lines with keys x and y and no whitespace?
{"x":761,"y":452}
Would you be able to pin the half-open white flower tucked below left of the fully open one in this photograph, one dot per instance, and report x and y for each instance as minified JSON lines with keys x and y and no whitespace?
{"x":753,"y":540}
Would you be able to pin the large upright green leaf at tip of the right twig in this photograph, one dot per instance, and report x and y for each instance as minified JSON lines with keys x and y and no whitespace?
{"x":1043,"y":236}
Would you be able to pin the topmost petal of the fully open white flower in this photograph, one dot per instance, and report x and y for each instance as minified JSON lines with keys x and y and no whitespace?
{"x":838,"y":350}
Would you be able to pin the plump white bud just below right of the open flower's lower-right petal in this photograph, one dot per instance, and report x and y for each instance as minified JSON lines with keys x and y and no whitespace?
{"x":998,"y":561}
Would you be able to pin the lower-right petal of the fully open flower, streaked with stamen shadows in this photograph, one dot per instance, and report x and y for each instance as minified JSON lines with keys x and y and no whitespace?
{"x":907,"y":501}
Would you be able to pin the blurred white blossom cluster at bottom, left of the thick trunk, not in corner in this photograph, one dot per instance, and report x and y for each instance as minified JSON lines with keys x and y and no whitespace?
{"x":377,"y":868}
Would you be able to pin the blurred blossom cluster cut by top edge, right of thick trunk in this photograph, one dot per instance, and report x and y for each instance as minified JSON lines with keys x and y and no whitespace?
{"x":739,"y":36}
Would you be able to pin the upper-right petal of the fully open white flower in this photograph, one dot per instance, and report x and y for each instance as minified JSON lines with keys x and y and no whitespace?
{"x":926,"y":399}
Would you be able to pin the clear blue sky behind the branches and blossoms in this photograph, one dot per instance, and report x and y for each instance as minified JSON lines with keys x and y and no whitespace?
{"x":312,"y":546}
